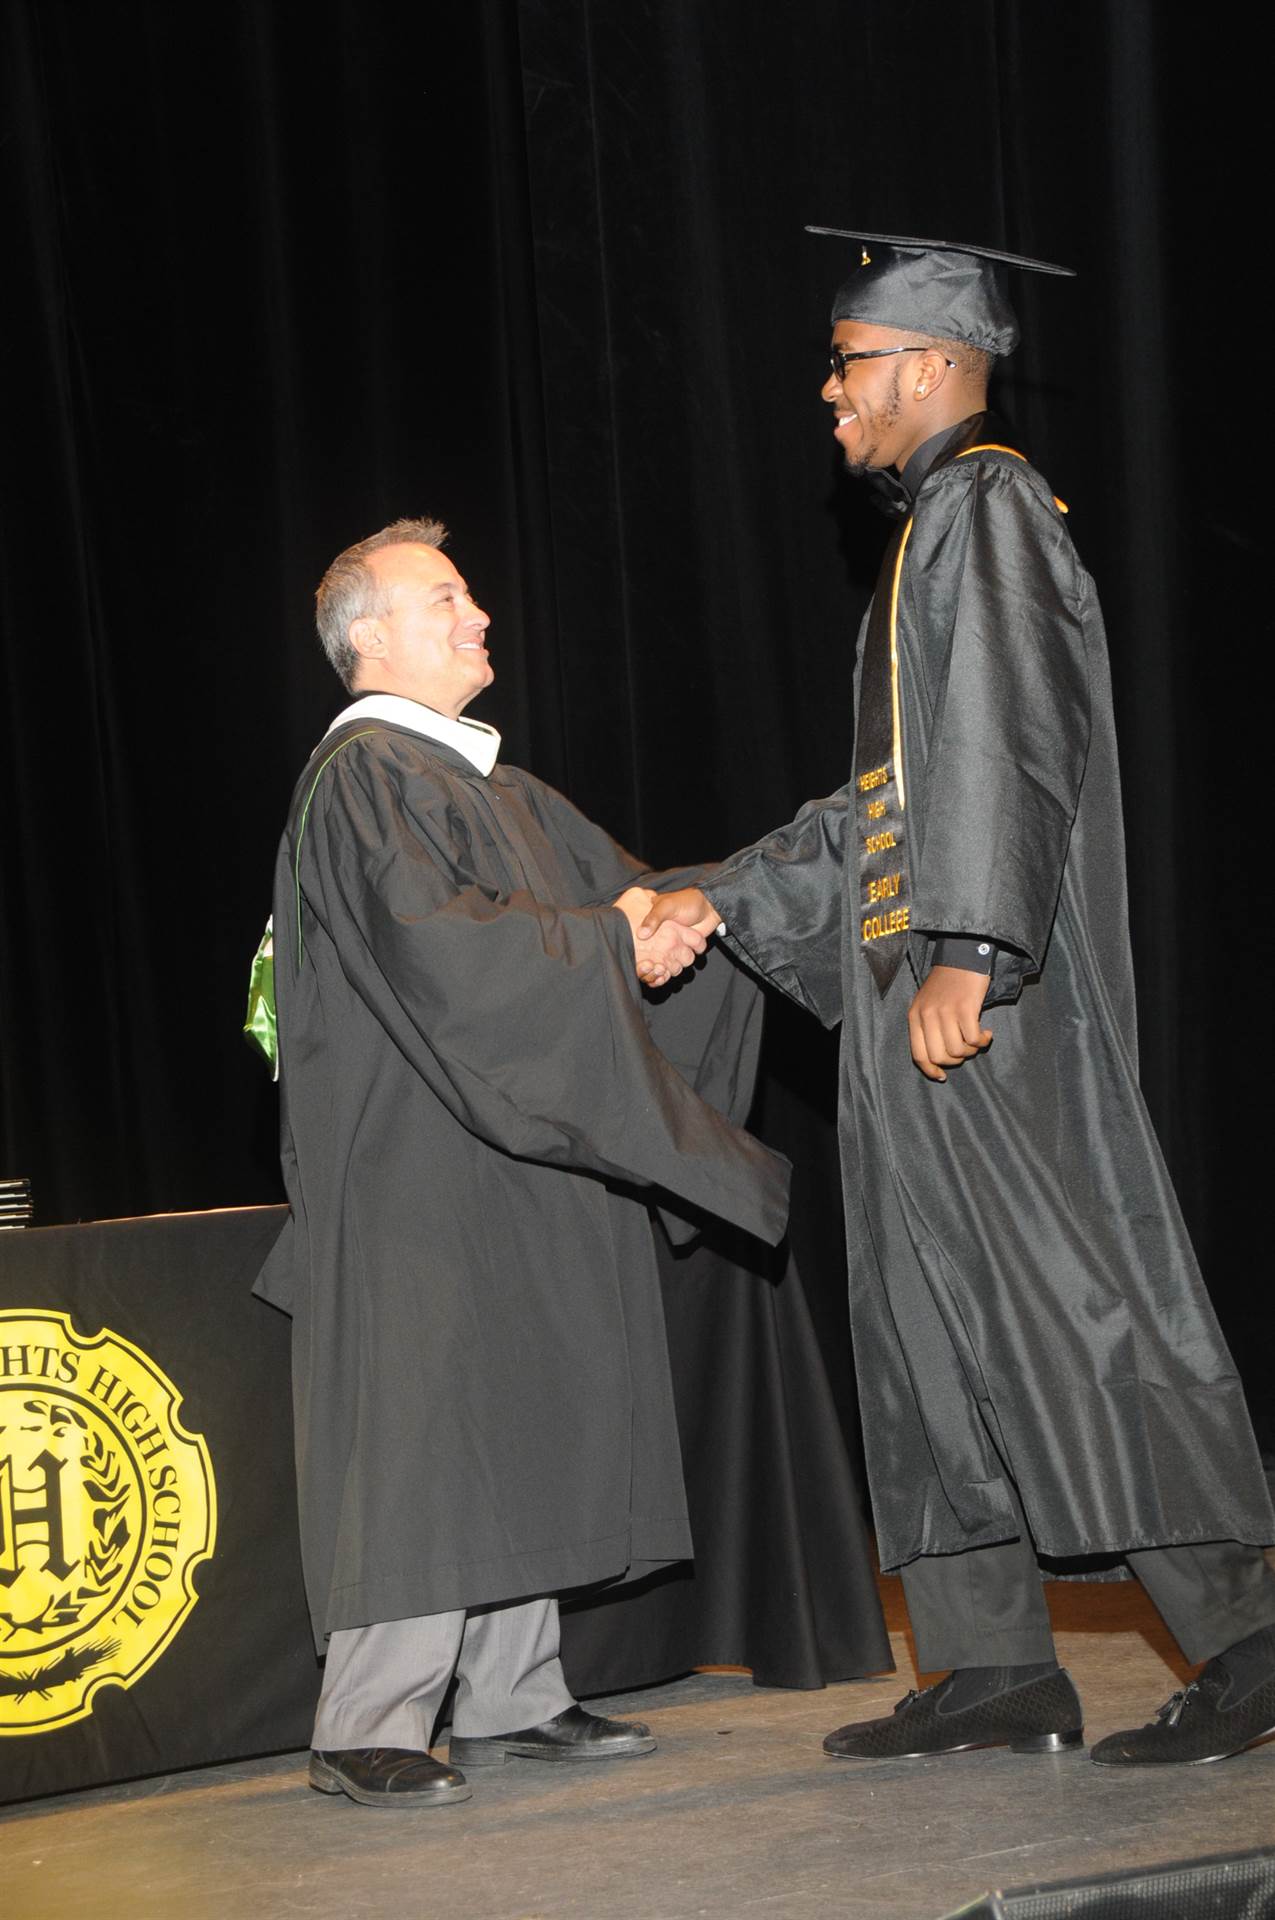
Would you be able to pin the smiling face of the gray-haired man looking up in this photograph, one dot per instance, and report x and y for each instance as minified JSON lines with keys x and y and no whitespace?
{"x":431,"y":640}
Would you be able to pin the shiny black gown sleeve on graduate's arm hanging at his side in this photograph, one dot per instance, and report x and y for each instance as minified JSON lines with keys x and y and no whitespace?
{"x":1009,"y":736}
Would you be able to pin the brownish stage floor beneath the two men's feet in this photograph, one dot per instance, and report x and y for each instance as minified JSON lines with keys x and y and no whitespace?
{"x":736,"y":1813}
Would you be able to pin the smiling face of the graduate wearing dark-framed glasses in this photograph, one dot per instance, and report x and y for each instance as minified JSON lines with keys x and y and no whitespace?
{"x":886,"y":408}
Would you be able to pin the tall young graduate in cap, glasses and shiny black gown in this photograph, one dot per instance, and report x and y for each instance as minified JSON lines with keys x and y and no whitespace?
{"x":1040,"y":1366}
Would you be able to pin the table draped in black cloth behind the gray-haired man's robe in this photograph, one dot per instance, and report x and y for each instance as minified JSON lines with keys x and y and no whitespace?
{"x":782,"y":1581}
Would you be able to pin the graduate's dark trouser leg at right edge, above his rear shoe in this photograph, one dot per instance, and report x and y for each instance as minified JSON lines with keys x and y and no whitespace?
{"x":1211,"y":1595}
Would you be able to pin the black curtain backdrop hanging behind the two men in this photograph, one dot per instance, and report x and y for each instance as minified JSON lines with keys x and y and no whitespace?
{"x":277,"y":276}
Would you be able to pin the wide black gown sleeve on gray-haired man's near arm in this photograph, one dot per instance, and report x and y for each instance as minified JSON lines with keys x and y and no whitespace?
{"x":523,"y":1019}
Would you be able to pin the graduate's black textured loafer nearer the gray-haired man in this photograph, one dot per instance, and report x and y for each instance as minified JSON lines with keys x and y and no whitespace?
{"x":1038,"y":1717}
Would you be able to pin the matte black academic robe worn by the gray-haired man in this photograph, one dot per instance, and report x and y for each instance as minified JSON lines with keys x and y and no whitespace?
{"x":473,"y":1116}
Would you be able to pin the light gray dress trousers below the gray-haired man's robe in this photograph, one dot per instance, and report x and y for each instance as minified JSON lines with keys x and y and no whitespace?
{"x":385,"y":1683}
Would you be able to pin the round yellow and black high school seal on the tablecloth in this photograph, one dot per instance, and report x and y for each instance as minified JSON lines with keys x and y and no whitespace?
{"x":107,"y":1510}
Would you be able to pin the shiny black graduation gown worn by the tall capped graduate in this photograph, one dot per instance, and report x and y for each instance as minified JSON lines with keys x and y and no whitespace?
{"x":1022,"y":1289}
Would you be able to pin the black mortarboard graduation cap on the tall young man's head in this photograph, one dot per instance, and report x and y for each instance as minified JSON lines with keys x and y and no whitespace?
{"x":932,"y":287}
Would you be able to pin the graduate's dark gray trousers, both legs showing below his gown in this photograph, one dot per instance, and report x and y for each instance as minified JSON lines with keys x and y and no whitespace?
{"x":986,"y":1608}
